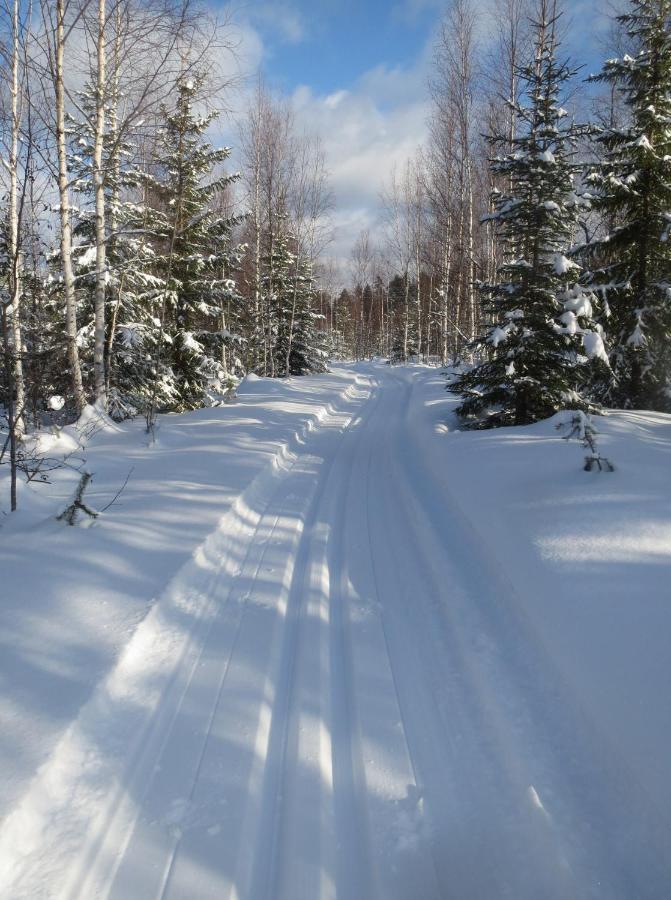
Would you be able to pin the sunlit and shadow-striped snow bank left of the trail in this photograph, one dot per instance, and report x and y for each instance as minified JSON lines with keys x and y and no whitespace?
{"x":73,"y":598}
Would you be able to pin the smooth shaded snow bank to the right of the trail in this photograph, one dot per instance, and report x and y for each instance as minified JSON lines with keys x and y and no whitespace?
{"x":587,"y":557}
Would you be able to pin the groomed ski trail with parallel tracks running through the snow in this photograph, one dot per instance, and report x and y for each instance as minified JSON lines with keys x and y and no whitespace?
{"x":358,"y":710}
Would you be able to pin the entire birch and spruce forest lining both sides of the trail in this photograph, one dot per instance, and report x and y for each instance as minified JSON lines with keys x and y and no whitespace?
{"x":137,"y":272}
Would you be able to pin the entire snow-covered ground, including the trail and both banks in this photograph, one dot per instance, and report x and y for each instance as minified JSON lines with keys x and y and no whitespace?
{"x":325,"y":645}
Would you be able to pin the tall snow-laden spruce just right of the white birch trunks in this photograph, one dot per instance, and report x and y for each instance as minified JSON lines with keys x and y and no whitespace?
{"x":195,"y":258}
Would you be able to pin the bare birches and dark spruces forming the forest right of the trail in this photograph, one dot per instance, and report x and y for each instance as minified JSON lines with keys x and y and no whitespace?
{"x":528,"y":239}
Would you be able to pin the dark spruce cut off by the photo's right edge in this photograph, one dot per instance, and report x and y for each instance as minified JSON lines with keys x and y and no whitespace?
{"x":630,"y":266}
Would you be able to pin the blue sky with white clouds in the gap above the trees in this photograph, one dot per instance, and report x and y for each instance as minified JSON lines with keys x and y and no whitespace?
{"x":357,"y":70}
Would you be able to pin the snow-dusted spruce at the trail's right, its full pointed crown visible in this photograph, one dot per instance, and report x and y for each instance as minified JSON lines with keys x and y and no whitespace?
{"x":536,"y":317}
